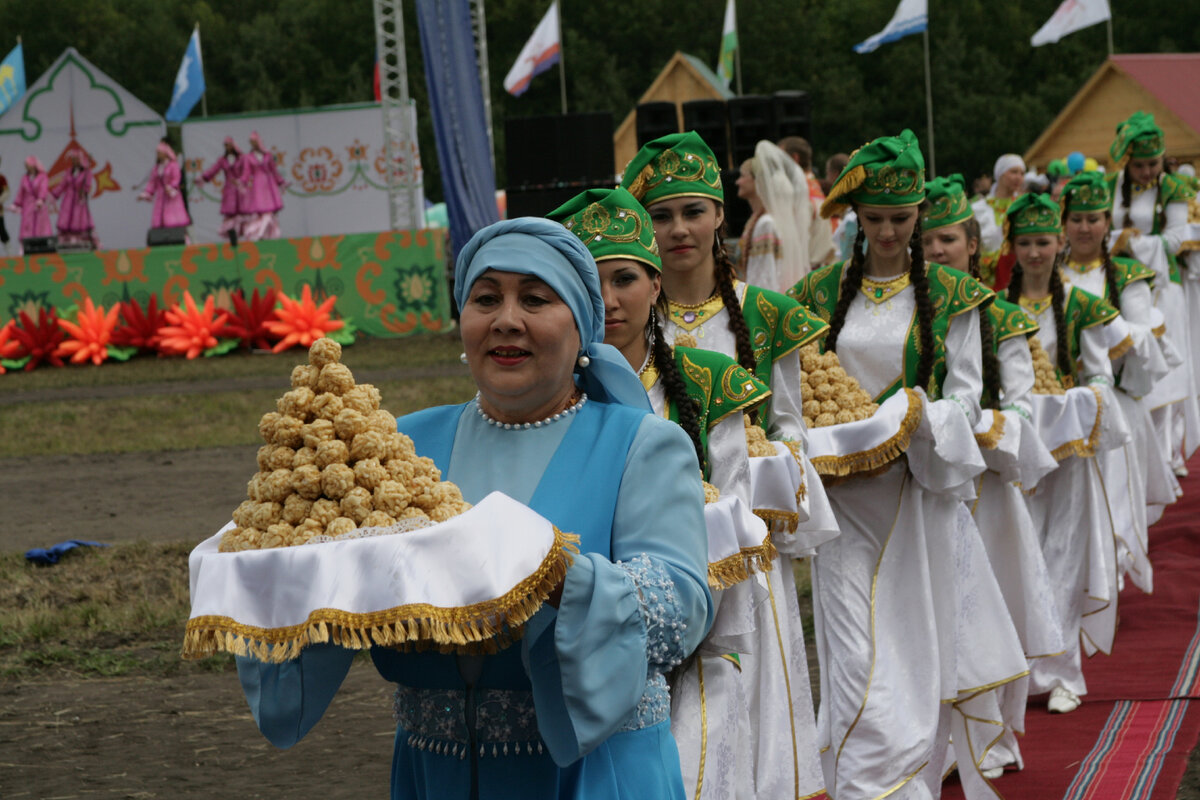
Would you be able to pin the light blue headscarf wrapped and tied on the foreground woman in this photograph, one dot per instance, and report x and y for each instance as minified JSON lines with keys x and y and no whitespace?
{"x":549,"y":251}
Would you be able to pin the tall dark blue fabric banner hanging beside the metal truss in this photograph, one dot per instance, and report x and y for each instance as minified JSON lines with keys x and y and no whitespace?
{"x":460,"y":125}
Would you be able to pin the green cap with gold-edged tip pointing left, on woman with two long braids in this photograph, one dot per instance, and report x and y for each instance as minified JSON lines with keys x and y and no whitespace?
{"x":890,"y":171}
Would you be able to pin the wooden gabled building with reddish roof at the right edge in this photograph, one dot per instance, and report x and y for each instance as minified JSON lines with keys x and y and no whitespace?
{"x":1167,"y":86}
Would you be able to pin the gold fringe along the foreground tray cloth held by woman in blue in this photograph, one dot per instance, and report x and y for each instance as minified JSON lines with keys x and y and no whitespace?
{"x":484,"y":627}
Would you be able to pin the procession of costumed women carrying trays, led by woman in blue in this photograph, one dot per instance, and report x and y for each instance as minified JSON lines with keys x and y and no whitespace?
{"x":623,"y":356}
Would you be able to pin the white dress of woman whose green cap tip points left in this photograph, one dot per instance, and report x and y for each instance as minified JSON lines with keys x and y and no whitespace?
{"x":909,"y":617}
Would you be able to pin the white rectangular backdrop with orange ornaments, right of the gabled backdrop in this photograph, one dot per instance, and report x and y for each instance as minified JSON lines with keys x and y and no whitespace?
{"x":332,"y":157}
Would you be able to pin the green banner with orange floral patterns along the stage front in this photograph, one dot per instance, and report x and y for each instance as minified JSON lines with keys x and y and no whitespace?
{"x":388,"y":285}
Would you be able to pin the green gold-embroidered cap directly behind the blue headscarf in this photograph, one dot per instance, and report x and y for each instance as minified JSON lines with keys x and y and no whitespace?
{"x":611,"y":224}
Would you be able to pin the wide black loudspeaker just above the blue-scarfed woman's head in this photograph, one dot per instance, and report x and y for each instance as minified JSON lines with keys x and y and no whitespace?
{"x":565,"y":149}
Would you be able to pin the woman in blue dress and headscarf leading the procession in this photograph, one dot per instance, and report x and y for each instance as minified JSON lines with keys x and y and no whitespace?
{"x":578,"y":707}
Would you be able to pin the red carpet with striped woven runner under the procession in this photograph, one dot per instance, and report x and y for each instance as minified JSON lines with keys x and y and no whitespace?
{"x":1139,"y":721}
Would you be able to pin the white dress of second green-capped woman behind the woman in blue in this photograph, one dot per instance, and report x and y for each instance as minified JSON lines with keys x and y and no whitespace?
{"x":775,"y":669}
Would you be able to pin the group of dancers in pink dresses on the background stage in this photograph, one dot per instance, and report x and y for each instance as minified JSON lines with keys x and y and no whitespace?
{"x":251,"y":196}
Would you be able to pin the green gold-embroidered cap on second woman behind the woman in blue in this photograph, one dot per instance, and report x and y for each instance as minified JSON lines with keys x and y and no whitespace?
{"x":679,"y":165}
